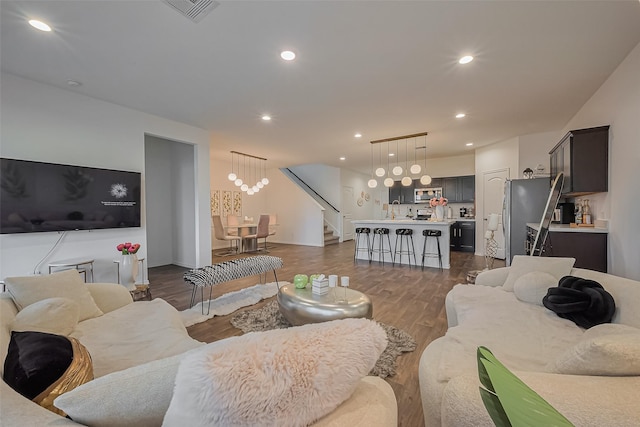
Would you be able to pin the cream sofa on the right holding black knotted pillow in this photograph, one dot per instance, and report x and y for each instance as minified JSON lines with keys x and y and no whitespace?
{"x":590,"y":376}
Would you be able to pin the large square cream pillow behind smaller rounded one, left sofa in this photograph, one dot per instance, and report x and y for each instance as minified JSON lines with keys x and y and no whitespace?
{"x":65,"y":284}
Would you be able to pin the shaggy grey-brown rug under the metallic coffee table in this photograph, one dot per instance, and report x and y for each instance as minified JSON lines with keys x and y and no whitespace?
{"x":269,"y":317}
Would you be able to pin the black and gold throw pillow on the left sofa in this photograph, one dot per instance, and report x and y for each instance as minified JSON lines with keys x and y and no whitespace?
{"x":43,"y":366}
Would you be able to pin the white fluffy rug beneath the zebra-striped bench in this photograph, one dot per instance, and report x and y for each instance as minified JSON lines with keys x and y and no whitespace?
{"x":229,"y":302}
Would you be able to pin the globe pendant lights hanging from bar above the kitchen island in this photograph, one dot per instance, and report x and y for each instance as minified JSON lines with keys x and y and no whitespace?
{"x":397,"y":170}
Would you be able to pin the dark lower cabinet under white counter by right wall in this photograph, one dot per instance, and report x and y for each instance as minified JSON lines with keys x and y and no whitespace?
{"x":589,"y":249}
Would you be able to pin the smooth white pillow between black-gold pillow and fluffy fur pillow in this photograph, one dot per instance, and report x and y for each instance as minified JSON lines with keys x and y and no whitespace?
{"x":134,"y":397}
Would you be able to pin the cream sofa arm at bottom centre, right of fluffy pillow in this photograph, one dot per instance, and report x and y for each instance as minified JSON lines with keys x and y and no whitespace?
{"x":373,"y":403}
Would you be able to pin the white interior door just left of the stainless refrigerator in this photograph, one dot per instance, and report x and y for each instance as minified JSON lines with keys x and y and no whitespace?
{"x":493,"y":194}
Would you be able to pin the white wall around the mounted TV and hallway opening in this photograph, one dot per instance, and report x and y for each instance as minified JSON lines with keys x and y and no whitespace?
{"x":44,"y":123}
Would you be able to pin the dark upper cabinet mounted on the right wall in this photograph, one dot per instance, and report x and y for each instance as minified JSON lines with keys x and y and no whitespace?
{"x":583,"y":156}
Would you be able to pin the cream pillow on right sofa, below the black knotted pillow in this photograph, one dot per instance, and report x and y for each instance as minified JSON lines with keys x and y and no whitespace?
{"x":607,"y":349}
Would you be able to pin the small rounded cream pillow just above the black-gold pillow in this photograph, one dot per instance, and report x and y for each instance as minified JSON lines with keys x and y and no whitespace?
{"x":52,"y":315}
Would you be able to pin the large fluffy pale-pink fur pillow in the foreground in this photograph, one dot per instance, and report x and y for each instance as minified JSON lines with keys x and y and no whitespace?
{"x":283,"y":377}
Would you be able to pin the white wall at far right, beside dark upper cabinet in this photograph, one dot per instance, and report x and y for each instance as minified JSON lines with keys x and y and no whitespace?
{"x":617,"y":103}
